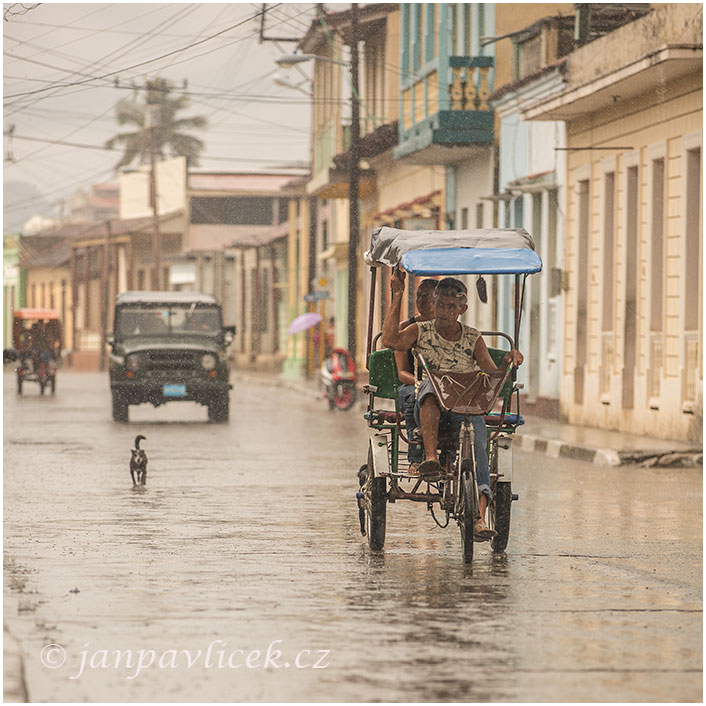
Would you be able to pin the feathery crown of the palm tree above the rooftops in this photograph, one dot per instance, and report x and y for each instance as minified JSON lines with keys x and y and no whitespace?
{"x":168,"y":132}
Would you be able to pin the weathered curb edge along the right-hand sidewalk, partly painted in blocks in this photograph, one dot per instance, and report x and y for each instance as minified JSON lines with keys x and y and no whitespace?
{"x":554,"y":448}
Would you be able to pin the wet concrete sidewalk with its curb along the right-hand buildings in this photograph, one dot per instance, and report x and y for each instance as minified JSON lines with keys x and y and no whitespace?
{"x":550,"y":437}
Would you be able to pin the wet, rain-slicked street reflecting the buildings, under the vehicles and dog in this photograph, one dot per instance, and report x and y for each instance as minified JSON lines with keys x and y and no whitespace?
{"x":246,"y":539}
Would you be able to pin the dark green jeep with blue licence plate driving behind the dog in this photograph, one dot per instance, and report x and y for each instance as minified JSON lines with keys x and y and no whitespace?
{"x":169,"y":347}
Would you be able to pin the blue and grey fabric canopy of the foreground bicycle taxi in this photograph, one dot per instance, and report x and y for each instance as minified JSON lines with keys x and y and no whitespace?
{"x":486,"y":251}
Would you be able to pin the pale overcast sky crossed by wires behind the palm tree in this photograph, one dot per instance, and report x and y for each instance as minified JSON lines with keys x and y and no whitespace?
{"x":254,"y":124}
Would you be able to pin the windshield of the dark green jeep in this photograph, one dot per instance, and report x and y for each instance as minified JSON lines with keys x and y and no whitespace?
{"x":168,"y":319}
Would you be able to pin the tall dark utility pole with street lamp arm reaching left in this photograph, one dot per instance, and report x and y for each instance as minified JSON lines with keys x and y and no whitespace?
{"x":353,"y":186}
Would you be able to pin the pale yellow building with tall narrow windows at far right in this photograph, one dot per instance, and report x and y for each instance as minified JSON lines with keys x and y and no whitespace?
{"x":633,"y":106}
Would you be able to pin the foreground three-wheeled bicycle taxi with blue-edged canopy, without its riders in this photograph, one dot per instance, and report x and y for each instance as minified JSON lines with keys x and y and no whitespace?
{"x":386,"y":477}
